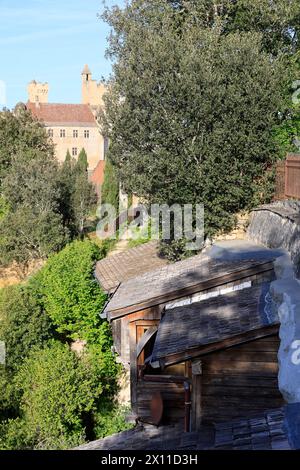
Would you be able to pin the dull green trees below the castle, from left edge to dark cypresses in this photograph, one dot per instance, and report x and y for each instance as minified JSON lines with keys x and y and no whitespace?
{"x":43,"y":205}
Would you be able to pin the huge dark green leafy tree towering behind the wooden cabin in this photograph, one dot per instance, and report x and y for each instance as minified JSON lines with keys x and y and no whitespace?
{"x":190,"y":109}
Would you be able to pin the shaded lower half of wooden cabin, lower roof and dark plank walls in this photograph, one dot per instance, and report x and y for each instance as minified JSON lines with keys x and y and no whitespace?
{"x":225,"y":349}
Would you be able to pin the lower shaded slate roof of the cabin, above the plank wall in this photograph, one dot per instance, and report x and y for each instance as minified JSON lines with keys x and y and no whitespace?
{"x":185,"y":328}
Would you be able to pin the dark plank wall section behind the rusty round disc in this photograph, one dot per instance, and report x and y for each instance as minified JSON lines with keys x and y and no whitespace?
{"x":172,"y":395}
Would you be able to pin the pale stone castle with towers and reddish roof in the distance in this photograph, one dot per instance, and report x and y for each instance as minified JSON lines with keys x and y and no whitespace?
{"x":73,"y":126}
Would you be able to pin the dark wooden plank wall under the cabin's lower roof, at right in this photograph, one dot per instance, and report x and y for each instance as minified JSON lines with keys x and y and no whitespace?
{"x":240,"y":380}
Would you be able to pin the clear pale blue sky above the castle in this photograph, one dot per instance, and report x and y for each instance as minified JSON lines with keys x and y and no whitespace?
{"x":51,"y":40}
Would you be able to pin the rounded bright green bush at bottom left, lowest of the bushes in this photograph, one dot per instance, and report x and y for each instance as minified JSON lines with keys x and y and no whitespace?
{"x":59,"y":392}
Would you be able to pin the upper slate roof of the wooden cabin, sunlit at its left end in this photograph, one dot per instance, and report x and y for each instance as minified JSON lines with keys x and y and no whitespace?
{"x":177,"y":280}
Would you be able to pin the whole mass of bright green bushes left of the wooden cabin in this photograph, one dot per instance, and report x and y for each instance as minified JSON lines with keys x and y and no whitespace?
{"x":50,"y":396}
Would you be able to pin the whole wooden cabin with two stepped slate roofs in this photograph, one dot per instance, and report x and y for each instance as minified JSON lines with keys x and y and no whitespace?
{"x":181,"y":295}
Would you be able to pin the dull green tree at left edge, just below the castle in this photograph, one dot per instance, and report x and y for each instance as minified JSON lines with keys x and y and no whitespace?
{"x":32,"y":225}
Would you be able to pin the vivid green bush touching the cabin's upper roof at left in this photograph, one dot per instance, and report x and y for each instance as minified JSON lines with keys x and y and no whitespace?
{"x":71,"y":295}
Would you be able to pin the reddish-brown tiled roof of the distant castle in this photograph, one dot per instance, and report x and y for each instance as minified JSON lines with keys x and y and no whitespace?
{"x":57,"y":113}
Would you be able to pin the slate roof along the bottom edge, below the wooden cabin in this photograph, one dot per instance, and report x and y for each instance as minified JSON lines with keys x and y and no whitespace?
{"x":261,"y":432}
